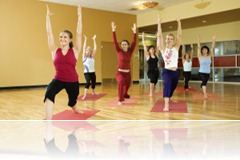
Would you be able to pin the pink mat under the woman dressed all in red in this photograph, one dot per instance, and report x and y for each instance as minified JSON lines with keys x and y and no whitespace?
{"x":126,"y":103}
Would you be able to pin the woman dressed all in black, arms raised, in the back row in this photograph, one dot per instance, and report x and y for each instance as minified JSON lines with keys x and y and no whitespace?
{"x":151,"y":55}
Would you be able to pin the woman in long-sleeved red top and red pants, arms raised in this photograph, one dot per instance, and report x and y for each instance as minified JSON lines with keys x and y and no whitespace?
{"x":124,"y":54}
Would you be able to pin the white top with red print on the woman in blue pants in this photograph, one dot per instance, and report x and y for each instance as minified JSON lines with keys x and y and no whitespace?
{"x":170,"y":57}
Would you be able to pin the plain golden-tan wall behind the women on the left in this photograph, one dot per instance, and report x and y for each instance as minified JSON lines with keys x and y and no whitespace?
{"x":24,"y":55}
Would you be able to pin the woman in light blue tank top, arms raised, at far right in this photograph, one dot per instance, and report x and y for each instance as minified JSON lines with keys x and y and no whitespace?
{"x":204,"y":58}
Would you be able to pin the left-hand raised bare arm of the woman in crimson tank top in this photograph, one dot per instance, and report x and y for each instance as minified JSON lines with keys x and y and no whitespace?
{"x":51,"y":43}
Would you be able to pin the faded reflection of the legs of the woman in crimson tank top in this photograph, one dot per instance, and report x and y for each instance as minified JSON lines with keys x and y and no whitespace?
{"x":72,"y":150}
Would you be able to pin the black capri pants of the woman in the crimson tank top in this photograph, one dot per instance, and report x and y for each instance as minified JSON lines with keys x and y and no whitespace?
{"x":72,"y":89}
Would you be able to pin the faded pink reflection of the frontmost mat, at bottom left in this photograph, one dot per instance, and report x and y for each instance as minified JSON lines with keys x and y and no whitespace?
{"x":72,"y":125}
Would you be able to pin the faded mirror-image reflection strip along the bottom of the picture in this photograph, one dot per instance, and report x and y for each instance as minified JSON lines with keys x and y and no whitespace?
{"x":135,"y":140}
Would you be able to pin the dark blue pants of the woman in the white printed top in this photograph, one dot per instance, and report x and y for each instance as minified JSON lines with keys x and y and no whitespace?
{"x":170,"y":79}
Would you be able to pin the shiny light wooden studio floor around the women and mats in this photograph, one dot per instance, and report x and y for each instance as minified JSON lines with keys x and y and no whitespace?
{"x":27,"y":104}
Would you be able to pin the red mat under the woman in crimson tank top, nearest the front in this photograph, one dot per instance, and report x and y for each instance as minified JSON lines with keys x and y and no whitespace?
{"x":70,"y":115}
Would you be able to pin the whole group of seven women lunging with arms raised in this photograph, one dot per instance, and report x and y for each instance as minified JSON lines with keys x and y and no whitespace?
{"x":65,"y":59}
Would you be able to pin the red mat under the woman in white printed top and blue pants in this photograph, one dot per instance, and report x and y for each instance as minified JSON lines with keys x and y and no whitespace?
{"x":175,"y":107}
